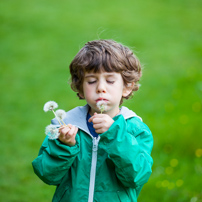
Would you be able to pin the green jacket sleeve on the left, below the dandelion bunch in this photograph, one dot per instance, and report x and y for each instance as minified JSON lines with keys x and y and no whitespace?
{"x":54,"y":160}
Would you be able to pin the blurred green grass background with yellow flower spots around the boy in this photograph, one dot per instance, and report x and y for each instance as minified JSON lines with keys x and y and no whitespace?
{"x":38,"y":40}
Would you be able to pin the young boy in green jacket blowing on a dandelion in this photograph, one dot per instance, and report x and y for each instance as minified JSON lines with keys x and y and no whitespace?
{"x":101,"y":156}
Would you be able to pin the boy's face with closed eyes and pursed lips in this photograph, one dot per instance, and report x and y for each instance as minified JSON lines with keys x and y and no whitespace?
{"x":106,"y":86}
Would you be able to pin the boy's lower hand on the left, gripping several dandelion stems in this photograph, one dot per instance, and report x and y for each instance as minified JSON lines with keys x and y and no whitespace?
{"x":68,"y":134}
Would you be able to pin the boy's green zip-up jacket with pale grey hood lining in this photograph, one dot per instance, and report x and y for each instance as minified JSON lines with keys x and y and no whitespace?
{"x":111,"y":168}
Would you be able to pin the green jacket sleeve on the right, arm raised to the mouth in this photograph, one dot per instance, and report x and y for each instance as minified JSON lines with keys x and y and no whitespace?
{"x":129,"y":146}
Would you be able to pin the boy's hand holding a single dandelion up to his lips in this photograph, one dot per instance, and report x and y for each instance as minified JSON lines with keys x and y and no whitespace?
{"x":101,"y":122}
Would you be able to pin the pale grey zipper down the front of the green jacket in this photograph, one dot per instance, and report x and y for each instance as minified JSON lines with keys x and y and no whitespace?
{"x":93,"y":168}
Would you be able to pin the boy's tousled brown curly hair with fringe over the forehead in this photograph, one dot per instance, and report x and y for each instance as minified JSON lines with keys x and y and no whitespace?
{"x":107,"y":55}
